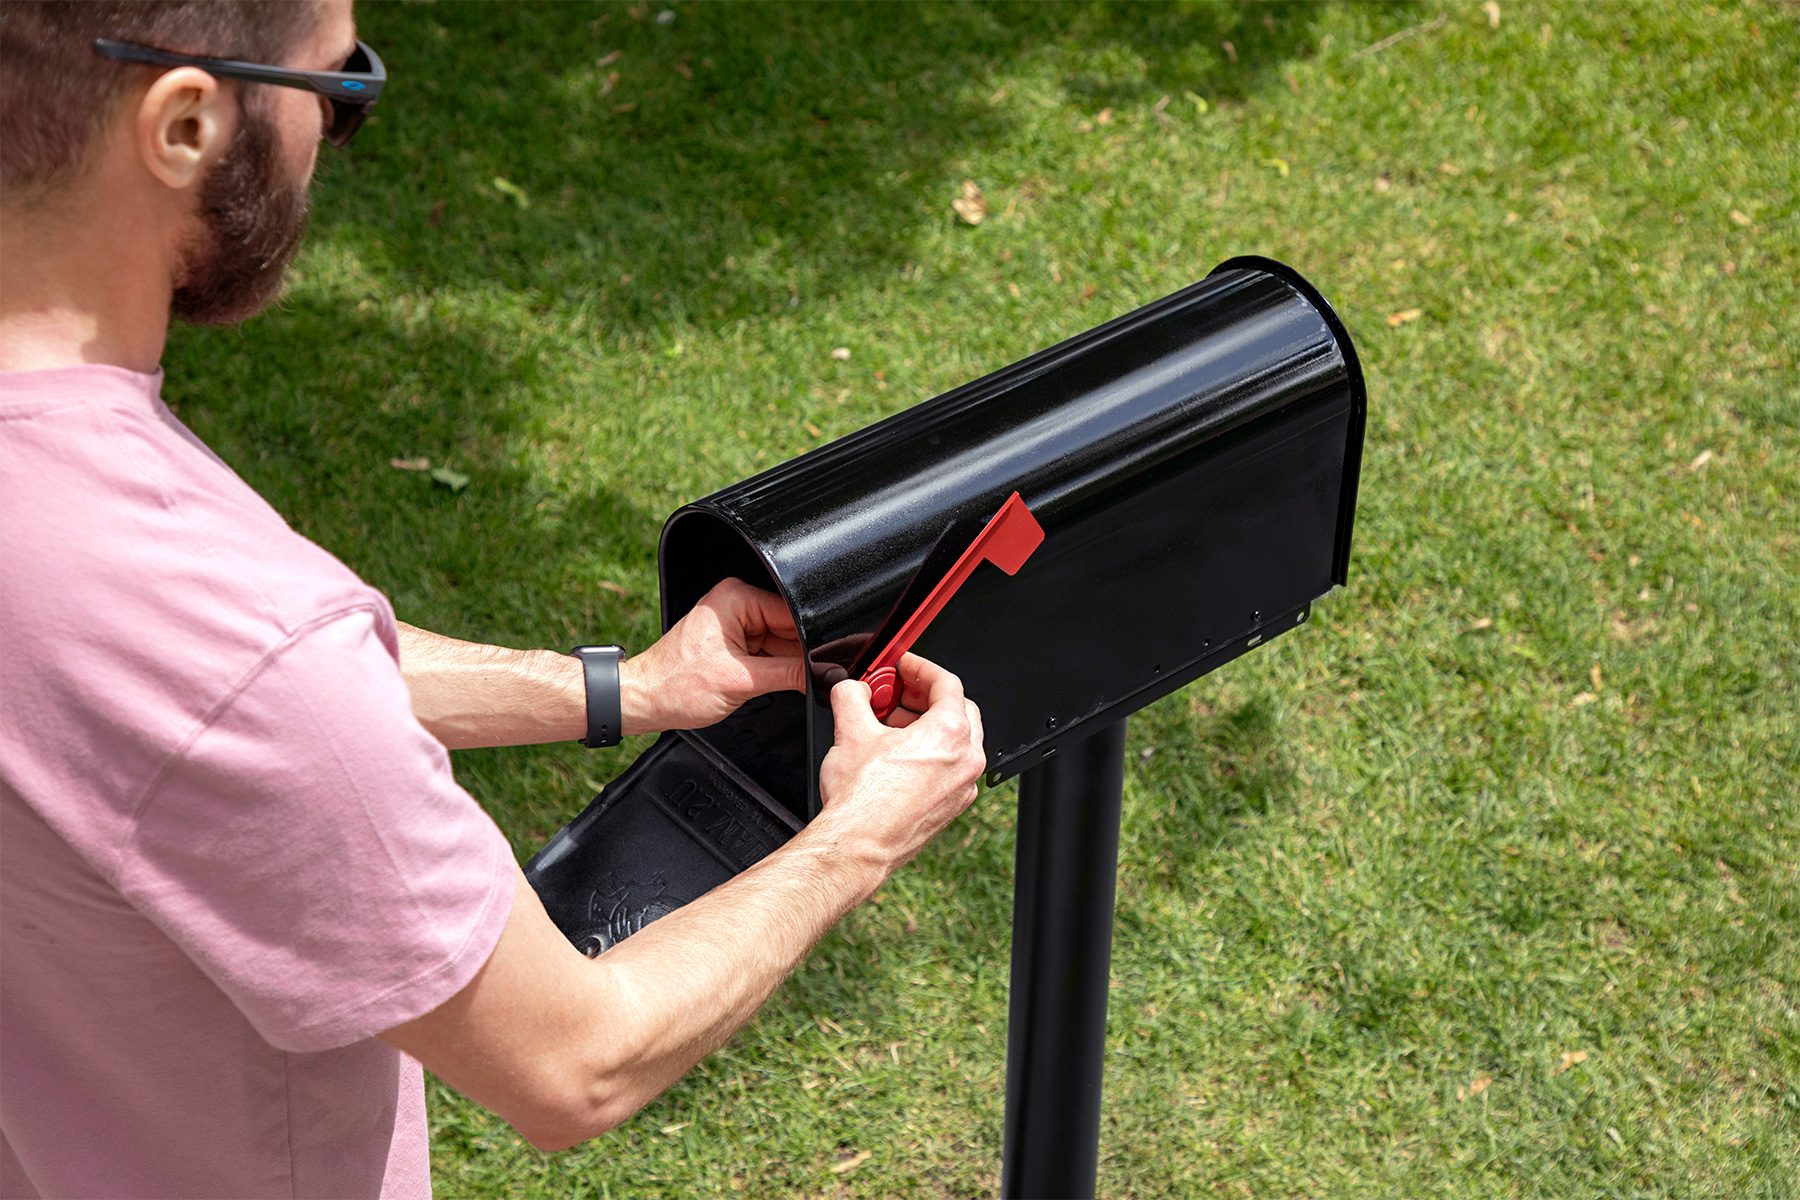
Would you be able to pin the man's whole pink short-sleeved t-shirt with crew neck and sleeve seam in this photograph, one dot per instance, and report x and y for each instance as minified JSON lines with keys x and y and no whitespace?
{"x":229,"y":855}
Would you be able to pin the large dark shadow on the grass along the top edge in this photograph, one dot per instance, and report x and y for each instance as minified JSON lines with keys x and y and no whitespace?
{"x":737,"y":159}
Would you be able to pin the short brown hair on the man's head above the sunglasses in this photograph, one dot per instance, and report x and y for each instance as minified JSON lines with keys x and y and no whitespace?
{"x":57,"y":93}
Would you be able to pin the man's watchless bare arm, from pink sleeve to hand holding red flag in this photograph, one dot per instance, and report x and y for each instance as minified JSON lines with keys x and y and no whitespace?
{"x":566,"y":1048}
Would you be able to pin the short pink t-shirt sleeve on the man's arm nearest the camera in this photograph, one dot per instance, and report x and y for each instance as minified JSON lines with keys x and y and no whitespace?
{"x":312,"y":852}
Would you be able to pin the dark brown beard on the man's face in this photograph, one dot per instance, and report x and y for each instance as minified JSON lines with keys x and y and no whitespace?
{"x":251,"y":224}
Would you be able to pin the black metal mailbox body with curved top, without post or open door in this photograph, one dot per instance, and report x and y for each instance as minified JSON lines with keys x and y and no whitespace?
{"x":1194,"y":467}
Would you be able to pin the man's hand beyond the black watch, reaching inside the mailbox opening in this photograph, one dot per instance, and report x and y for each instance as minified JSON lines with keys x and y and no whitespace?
{"x":735,"y":645}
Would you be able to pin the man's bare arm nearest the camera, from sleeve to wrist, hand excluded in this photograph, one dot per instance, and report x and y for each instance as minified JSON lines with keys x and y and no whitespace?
{"x":568,"y":1048}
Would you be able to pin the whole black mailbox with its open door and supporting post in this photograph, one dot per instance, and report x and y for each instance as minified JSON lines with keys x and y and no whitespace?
{"x":1194,"y":469}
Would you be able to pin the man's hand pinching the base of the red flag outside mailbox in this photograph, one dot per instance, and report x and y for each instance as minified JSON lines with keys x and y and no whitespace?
{"x":890,"y":789}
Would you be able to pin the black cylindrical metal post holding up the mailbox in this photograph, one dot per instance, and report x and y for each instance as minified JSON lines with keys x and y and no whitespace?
{"x":1063,"y":945}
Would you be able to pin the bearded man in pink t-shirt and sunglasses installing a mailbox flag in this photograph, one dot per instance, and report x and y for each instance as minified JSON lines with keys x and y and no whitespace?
{"x":240,"y":893}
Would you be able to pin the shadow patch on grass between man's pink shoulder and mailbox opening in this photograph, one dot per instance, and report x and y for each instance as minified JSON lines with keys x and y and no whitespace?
{"x":508,"y":559}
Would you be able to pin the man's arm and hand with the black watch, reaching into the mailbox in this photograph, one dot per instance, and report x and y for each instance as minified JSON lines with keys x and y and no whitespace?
{"x":735,"y":645}
